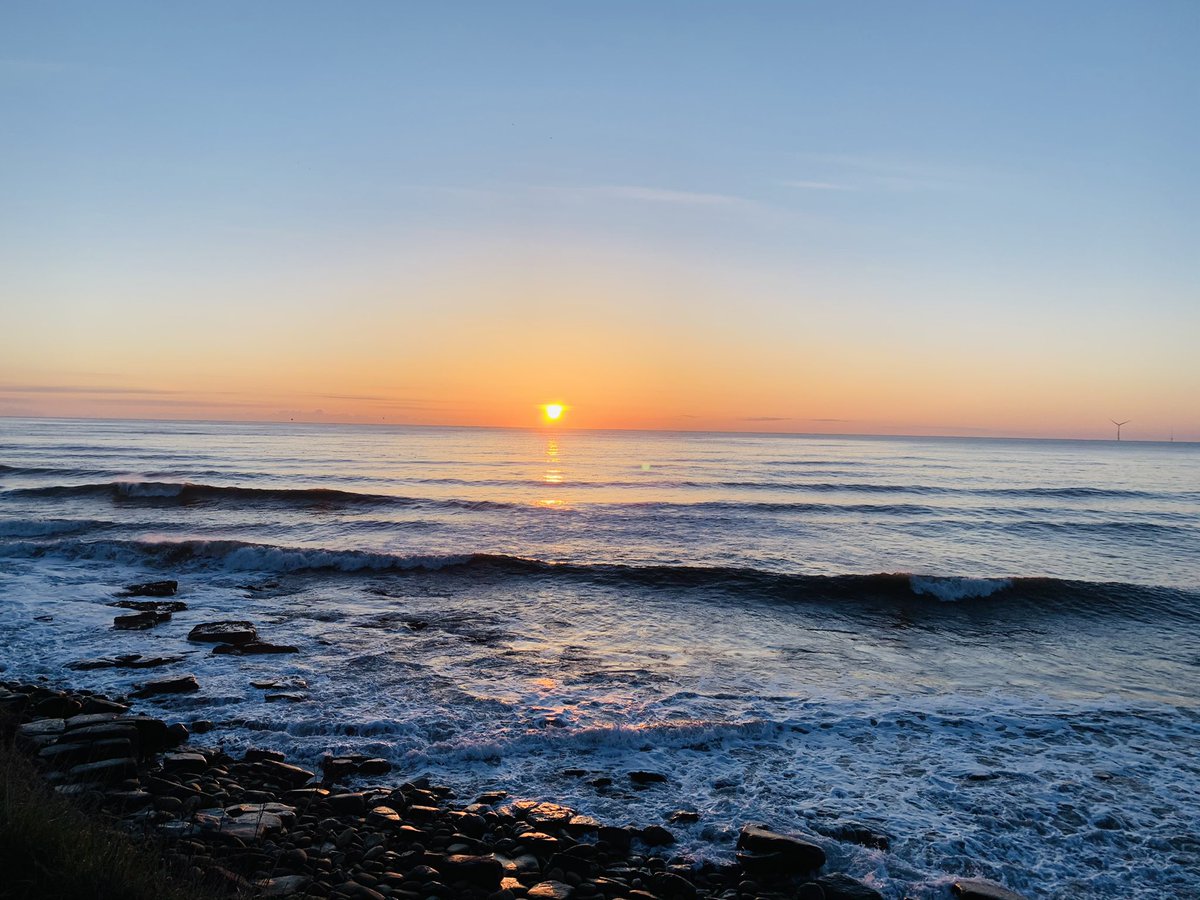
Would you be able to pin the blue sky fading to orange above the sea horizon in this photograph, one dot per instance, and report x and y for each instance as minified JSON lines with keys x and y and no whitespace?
{"x":899,"y":218}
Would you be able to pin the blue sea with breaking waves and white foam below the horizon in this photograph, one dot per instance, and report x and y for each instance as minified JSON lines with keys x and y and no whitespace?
{"x":987,"y":650}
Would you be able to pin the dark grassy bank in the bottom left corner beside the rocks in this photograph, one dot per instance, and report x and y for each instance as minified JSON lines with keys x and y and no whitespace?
{"x":52,"y":850}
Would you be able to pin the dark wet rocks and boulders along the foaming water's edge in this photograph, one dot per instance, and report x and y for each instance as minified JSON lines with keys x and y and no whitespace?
{"x":261,"y":826}
